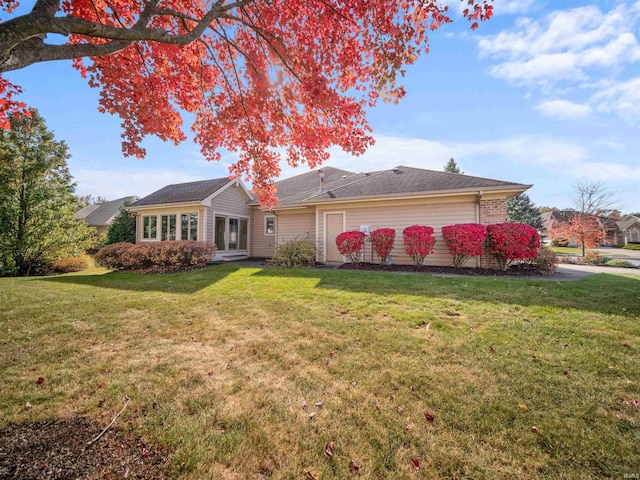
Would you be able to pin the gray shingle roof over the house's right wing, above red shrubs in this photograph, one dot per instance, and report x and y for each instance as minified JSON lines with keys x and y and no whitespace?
{"x":342,"y":184}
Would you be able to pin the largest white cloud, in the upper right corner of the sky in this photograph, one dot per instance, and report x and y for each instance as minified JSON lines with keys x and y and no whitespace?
{"x":564,"y":46}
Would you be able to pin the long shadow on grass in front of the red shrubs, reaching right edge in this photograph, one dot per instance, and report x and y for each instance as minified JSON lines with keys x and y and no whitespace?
{"x":604,"y":293}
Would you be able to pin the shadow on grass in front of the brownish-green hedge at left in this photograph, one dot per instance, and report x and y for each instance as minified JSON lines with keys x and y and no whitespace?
{"x":179,"y":282}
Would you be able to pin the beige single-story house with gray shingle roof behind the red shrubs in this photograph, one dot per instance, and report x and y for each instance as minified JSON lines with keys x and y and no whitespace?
{"x":320,"y":205}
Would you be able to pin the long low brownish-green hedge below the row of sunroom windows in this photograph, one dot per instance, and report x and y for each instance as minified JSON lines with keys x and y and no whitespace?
{"x":177,"y":253}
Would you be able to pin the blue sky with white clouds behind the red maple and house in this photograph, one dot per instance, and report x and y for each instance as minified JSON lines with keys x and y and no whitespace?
{"x":545,"y":93}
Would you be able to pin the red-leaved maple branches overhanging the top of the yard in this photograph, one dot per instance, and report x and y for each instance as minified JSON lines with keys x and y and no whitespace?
{"x":262,"y":78}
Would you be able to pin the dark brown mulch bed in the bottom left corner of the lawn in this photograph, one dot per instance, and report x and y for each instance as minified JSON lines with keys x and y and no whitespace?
{"x":59,"y":450}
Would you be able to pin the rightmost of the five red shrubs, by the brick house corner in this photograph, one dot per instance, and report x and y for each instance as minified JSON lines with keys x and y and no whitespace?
{"x":512,"y":241}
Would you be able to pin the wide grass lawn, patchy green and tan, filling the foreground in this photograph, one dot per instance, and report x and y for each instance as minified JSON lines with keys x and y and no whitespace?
{"x":524,"y":379}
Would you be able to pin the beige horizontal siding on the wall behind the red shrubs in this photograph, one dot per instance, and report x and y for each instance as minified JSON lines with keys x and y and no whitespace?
{"x":401,"y":214}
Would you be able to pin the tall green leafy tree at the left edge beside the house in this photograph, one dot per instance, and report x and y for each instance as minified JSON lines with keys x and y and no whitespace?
{"x":37,"y":205}
